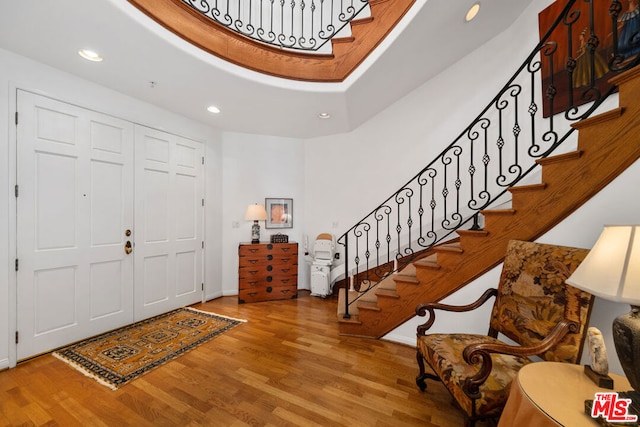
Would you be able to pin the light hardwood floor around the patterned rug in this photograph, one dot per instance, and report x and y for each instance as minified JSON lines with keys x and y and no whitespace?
{"x":287,"y":366}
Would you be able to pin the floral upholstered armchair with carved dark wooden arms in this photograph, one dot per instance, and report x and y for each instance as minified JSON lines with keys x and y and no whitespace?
{"x":533,"y":307}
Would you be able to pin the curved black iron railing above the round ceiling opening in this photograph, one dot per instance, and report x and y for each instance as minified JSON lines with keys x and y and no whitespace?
{"x":293,"y":24}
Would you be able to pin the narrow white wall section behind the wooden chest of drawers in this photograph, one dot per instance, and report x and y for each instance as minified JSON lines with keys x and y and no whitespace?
{"x":256,"y":167}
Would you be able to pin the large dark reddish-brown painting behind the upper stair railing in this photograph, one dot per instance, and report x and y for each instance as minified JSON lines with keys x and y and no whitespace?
{"x":575,"y":88}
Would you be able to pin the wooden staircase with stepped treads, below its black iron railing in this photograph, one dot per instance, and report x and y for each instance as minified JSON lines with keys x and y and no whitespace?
{"x":607,"y":145}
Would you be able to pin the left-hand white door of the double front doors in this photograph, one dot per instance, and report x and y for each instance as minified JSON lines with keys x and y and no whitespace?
{"x":75,"y":176}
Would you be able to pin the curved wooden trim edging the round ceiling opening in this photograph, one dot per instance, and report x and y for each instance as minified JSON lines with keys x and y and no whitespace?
{"x":226,"y":44}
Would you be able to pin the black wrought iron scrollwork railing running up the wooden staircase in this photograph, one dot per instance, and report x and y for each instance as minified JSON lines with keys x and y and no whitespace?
{"x":566,"y":73}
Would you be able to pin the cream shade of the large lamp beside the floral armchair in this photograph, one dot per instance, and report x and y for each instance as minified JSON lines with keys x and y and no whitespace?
{"x":611,"y":270}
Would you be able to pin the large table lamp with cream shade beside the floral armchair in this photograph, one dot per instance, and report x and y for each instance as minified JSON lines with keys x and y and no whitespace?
{"x":611,"y":271}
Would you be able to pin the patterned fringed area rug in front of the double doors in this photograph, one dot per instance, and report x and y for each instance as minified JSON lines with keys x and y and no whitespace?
{"x":117,"y":357}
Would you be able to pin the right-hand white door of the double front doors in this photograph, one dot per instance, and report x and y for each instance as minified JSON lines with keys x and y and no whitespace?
{"x":169,"y":222}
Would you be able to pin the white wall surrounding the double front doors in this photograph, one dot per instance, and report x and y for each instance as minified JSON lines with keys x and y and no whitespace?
{"x":20,"y":72}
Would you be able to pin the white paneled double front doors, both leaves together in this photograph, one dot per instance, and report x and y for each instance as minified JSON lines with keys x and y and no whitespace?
{"x":109,"y":223}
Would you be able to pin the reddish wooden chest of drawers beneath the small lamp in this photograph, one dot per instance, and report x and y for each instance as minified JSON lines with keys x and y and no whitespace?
{"x":267,"y":271}
